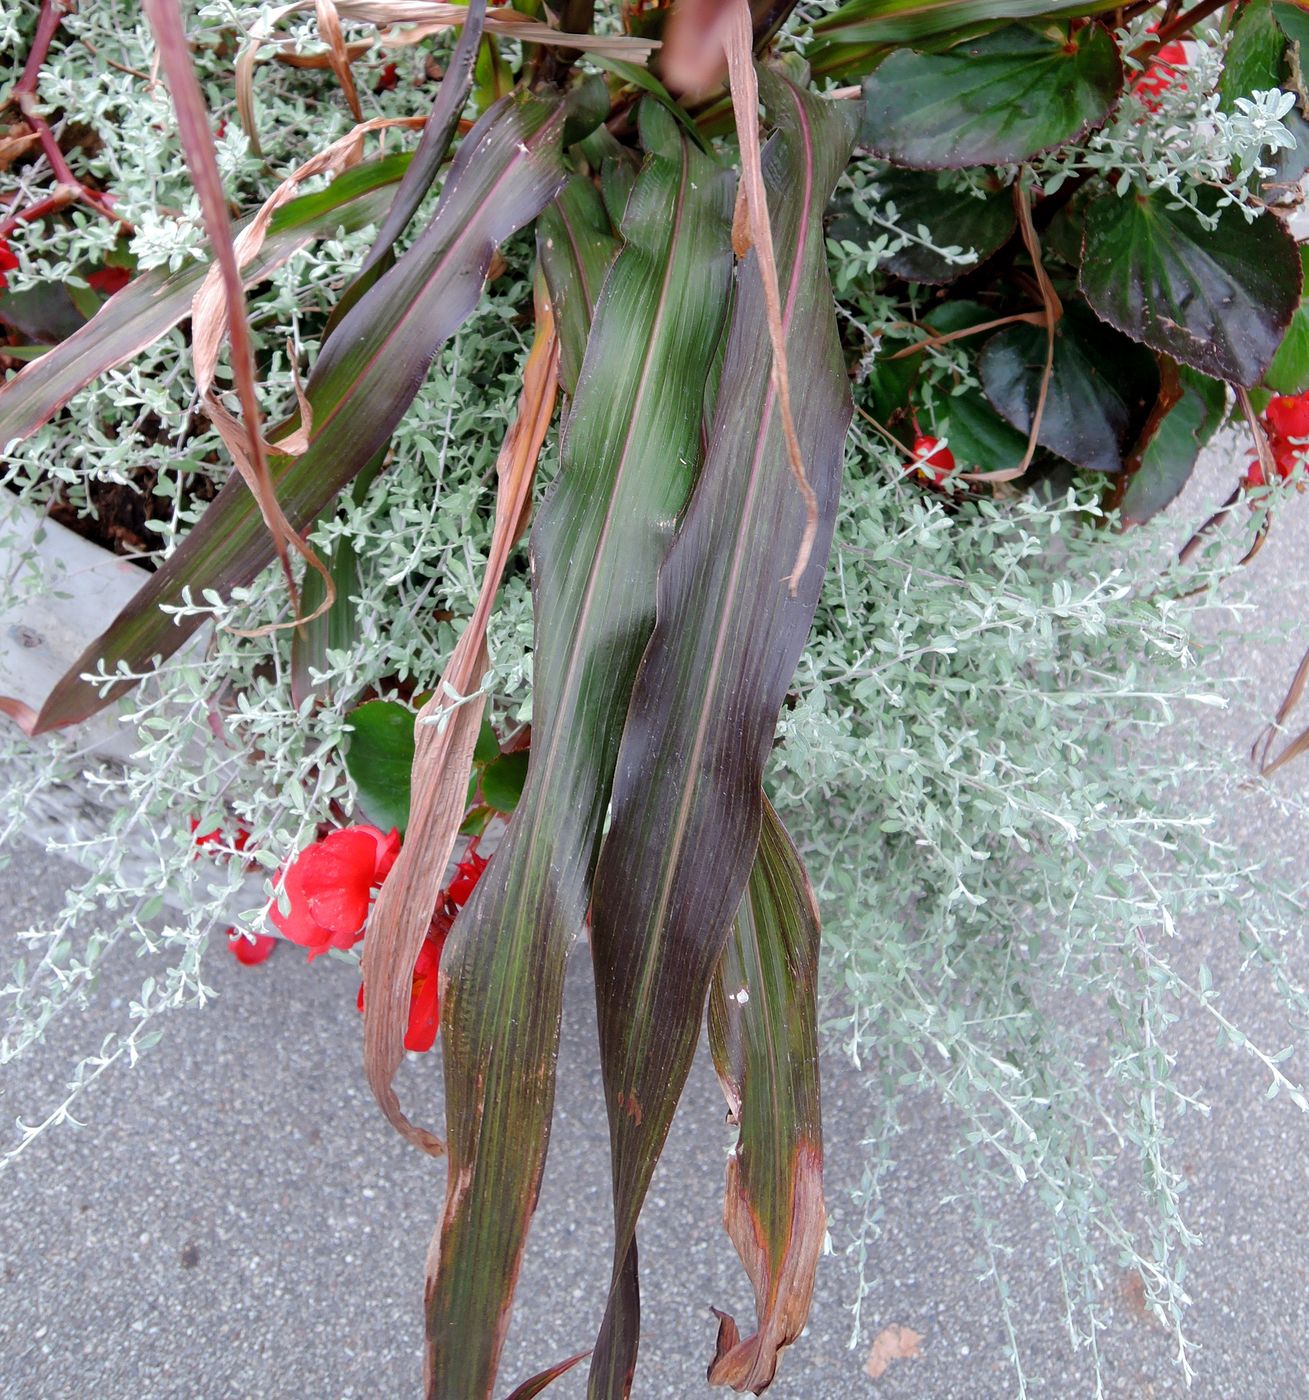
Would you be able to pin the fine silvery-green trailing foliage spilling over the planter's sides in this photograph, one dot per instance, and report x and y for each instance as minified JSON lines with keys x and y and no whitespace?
{"x":972,"y":759}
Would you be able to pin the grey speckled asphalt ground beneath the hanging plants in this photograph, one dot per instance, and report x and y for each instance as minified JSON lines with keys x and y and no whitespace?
{"x":237,"y":1220}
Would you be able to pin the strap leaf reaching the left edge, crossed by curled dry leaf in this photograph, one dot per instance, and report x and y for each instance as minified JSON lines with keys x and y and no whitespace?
{"x":150,"y":306}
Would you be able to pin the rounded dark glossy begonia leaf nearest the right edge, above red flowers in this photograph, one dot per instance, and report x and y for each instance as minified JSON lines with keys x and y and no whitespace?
{"x":1219,"y":299}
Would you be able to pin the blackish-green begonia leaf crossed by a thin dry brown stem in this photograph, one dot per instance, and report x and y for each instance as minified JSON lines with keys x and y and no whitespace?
{"x":1101,"y":394}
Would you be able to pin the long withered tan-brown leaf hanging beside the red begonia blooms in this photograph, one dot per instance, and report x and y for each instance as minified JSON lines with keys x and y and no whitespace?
{"x":444,"y":752}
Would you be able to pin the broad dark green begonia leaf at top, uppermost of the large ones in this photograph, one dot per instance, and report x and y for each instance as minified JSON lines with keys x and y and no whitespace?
{"x":996,"y":101}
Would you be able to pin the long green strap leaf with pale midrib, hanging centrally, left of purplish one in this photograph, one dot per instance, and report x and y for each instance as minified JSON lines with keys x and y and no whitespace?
{"x":631,"y":453}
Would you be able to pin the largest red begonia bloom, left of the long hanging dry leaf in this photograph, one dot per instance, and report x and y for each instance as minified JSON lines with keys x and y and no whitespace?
{"x":328,"y":888}
